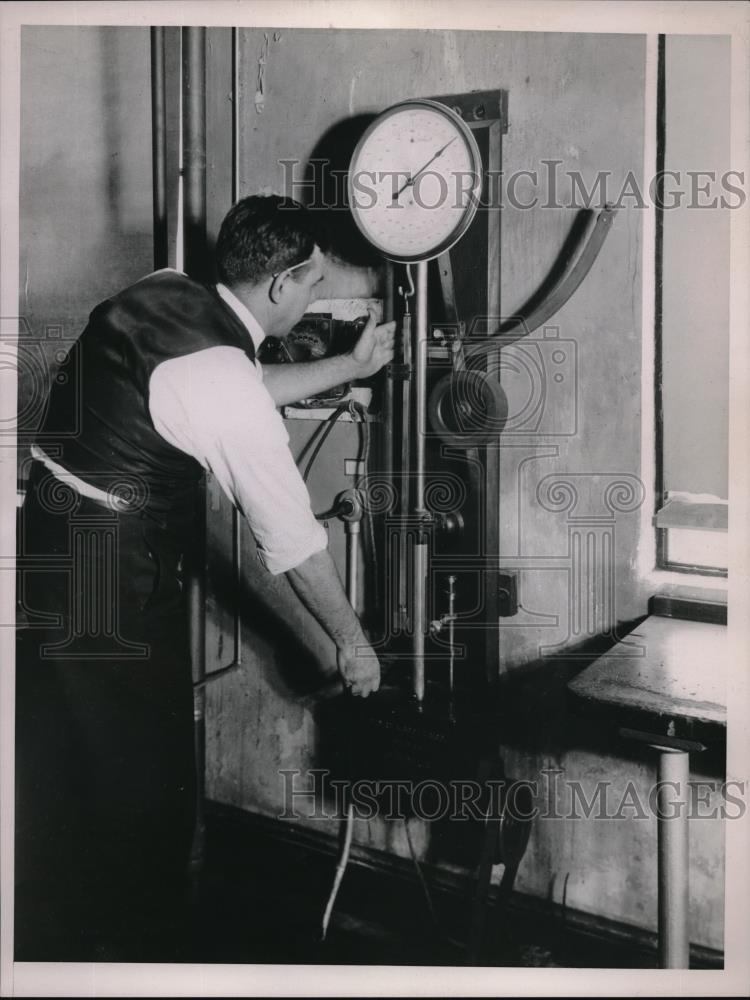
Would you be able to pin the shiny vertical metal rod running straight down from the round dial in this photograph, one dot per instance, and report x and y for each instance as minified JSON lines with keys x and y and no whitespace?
{"x":419,"y":421}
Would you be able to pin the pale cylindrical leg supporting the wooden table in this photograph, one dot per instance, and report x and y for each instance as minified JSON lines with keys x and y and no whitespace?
{"x":673,"y":858}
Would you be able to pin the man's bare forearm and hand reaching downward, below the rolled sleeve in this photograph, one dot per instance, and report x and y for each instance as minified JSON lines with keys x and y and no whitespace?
{"x":317,"y":584}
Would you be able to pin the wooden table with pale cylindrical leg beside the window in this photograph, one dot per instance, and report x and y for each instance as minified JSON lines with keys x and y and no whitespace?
{"x":664,"y":685}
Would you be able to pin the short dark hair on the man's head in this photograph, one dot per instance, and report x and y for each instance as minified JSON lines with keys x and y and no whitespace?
{"x":264,"y":235}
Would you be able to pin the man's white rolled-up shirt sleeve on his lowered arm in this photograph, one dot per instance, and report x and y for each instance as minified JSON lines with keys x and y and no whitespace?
{"x":213,"y":405}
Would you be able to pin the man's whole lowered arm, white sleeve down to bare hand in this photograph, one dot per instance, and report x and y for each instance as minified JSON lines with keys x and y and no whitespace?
{"x":245,"y":445}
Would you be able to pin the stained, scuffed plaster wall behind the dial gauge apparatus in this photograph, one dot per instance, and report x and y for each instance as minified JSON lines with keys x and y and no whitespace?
{"x":570,"y":493}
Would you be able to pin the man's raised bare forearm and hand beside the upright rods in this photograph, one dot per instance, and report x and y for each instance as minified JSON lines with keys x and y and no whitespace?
{"x":290,"y":383}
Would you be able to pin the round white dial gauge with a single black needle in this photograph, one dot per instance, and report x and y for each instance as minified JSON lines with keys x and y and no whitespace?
{"x":414,"y":180}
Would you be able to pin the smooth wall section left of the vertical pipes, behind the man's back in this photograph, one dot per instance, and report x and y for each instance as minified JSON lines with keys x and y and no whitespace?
{"x":85,"y":204}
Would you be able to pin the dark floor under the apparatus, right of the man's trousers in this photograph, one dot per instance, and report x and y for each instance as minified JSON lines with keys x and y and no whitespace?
{"x":261,"y":900}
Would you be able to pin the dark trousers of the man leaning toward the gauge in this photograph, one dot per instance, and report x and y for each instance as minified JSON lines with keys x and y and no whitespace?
{"x":105,"y":783}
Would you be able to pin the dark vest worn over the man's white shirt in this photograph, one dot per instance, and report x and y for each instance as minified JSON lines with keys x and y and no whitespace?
{"x":105,"y":396}
